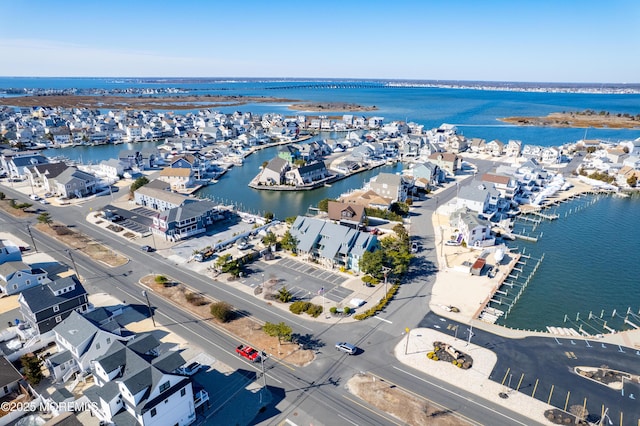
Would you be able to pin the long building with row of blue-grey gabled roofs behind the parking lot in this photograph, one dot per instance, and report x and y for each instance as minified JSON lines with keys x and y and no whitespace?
{"x":331,"y":244}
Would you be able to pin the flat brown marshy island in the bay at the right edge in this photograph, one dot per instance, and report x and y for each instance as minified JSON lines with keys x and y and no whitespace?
{"x":579,"y":119}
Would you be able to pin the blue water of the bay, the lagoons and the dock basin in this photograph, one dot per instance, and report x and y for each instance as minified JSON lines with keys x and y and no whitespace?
{"x":589,"y":253}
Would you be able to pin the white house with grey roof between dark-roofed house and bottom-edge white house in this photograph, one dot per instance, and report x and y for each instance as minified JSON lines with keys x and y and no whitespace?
{"x":79,"y":341}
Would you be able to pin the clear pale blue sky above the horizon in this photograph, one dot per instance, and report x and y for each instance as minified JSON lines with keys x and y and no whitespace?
{"x":546,"y":41}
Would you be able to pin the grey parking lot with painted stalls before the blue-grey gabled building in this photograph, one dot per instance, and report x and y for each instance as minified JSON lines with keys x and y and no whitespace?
{"x":303,"y":280}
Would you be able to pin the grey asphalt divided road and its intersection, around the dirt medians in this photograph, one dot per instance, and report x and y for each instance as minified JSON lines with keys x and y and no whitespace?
{"x":314,"y":390}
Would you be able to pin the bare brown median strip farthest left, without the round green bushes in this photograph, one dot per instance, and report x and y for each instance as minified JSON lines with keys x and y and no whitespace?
{"x":83,"y":243}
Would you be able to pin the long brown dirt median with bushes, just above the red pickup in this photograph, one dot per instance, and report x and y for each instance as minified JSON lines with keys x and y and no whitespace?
{"x":245,"y":328}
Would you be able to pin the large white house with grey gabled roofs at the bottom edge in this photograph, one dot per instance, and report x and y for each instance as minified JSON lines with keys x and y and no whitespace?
{"x":136,"y":388}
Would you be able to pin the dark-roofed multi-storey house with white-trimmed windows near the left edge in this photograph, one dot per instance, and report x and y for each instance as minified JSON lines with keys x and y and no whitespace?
{"x":47,"y":305}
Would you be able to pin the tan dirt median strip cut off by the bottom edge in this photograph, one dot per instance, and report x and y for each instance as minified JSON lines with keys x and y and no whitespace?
{"x":403,"y":405}
